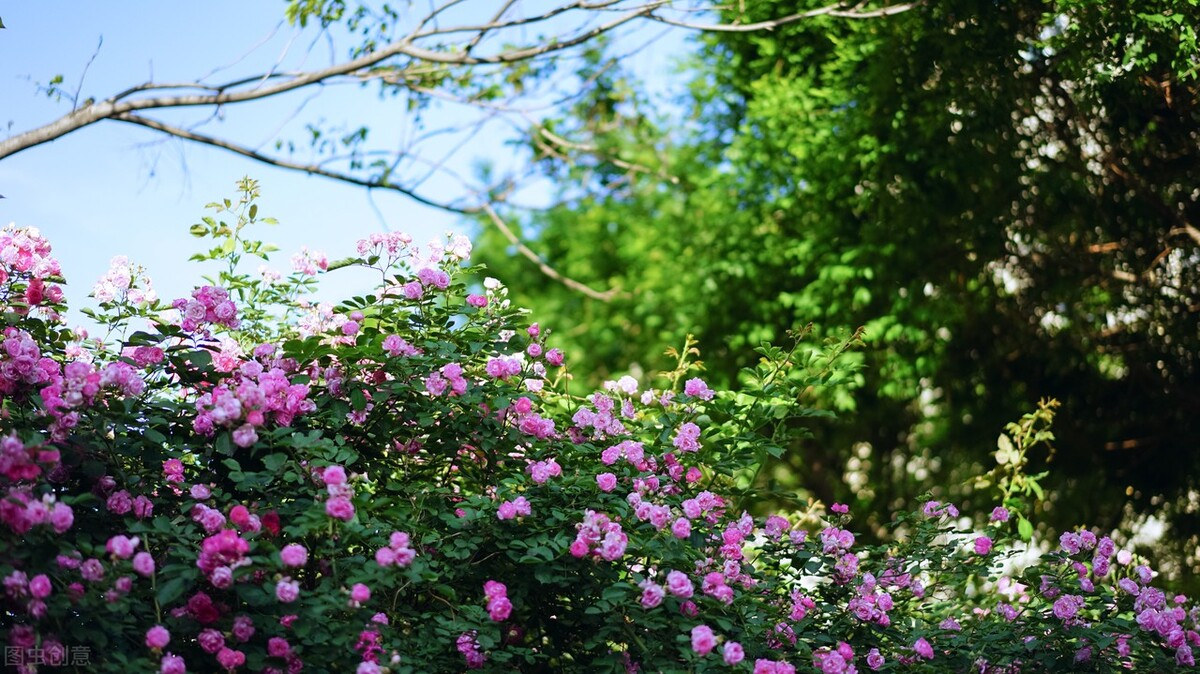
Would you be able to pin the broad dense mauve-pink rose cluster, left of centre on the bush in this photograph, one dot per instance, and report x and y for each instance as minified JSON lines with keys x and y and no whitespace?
{"x":253,"y":396}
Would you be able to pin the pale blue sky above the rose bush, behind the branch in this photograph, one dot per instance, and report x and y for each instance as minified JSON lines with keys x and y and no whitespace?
{"x":113,"y":189}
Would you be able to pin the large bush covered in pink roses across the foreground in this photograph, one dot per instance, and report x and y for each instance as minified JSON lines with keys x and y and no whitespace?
{"x":407,"y":483}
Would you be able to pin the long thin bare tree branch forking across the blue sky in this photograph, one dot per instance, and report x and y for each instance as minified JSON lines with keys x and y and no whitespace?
{"x":425,"y":52}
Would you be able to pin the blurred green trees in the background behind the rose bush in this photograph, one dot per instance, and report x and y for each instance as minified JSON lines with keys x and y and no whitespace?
{"x":1005,"y":195}
